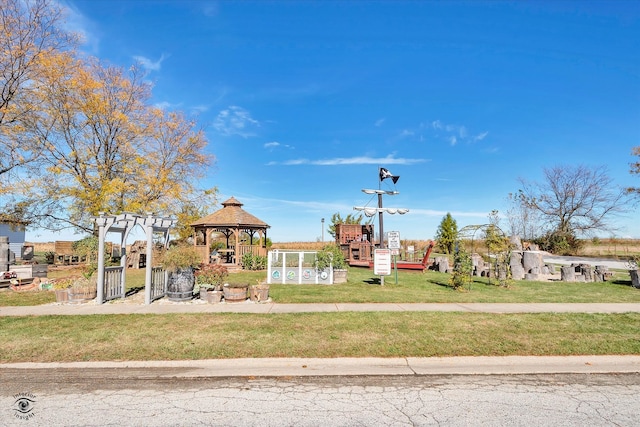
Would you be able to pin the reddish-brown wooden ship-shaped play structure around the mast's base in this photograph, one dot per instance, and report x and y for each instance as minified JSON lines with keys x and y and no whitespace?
{"x":356,"y":244}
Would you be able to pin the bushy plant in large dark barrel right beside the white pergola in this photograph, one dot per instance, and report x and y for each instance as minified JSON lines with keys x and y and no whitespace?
{"x":180,"y":261}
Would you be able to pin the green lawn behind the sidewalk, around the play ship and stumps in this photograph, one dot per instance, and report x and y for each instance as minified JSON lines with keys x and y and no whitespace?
{"x":364,"y":286}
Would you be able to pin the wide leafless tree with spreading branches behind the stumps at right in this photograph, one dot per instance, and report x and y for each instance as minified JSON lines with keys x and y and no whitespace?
{"x":574,"y":200}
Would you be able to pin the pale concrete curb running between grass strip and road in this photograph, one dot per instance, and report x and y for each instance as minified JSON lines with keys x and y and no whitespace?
{"x":296,"y":367}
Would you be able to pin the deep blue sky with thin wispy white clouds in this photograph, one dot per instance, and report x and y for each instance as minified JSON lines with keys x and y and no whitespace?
{"x":303,"y":101}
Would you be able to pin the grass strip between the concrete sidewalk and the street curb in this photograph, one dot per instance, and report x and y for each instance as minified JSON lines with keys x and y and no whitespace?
{"x":370,"y":334}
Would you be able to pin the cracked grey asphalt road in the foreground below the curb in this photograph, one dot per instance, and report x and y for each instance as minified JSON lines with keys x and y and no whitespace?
{"x":163,"y":397}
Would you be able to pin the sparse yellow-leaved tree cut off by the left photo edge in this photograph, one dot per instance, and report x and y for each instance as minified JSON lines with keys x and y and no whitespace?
{"x":29,"y":34}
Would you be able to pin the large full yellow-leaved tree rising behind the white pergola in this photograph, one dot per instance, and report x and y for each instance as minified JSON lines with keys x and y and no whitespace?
{"x":106,"y":150}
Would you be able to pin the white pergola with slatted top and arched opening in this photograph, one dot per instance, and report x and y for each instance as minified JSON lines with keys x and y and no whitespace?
{"x":123,"y":224}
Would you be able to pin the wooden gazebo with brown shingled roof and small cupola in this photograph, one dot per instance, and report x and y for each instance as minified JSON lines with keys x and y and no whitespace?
{"x":230,"y":221}
